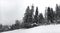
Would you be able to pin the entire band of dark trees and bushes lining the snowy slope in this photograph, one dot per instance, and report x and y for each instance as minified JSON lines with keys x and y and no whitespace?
{"x":33,"y":18}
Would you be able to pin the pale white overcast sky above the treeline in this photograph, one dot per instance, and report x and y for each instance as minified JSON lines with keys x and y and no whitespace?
{"x":10,"y":10}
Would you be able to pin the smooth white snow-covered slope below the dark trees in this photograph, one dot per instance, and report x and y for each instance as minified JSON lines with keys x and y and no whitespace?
{"x":39,"y":29}
